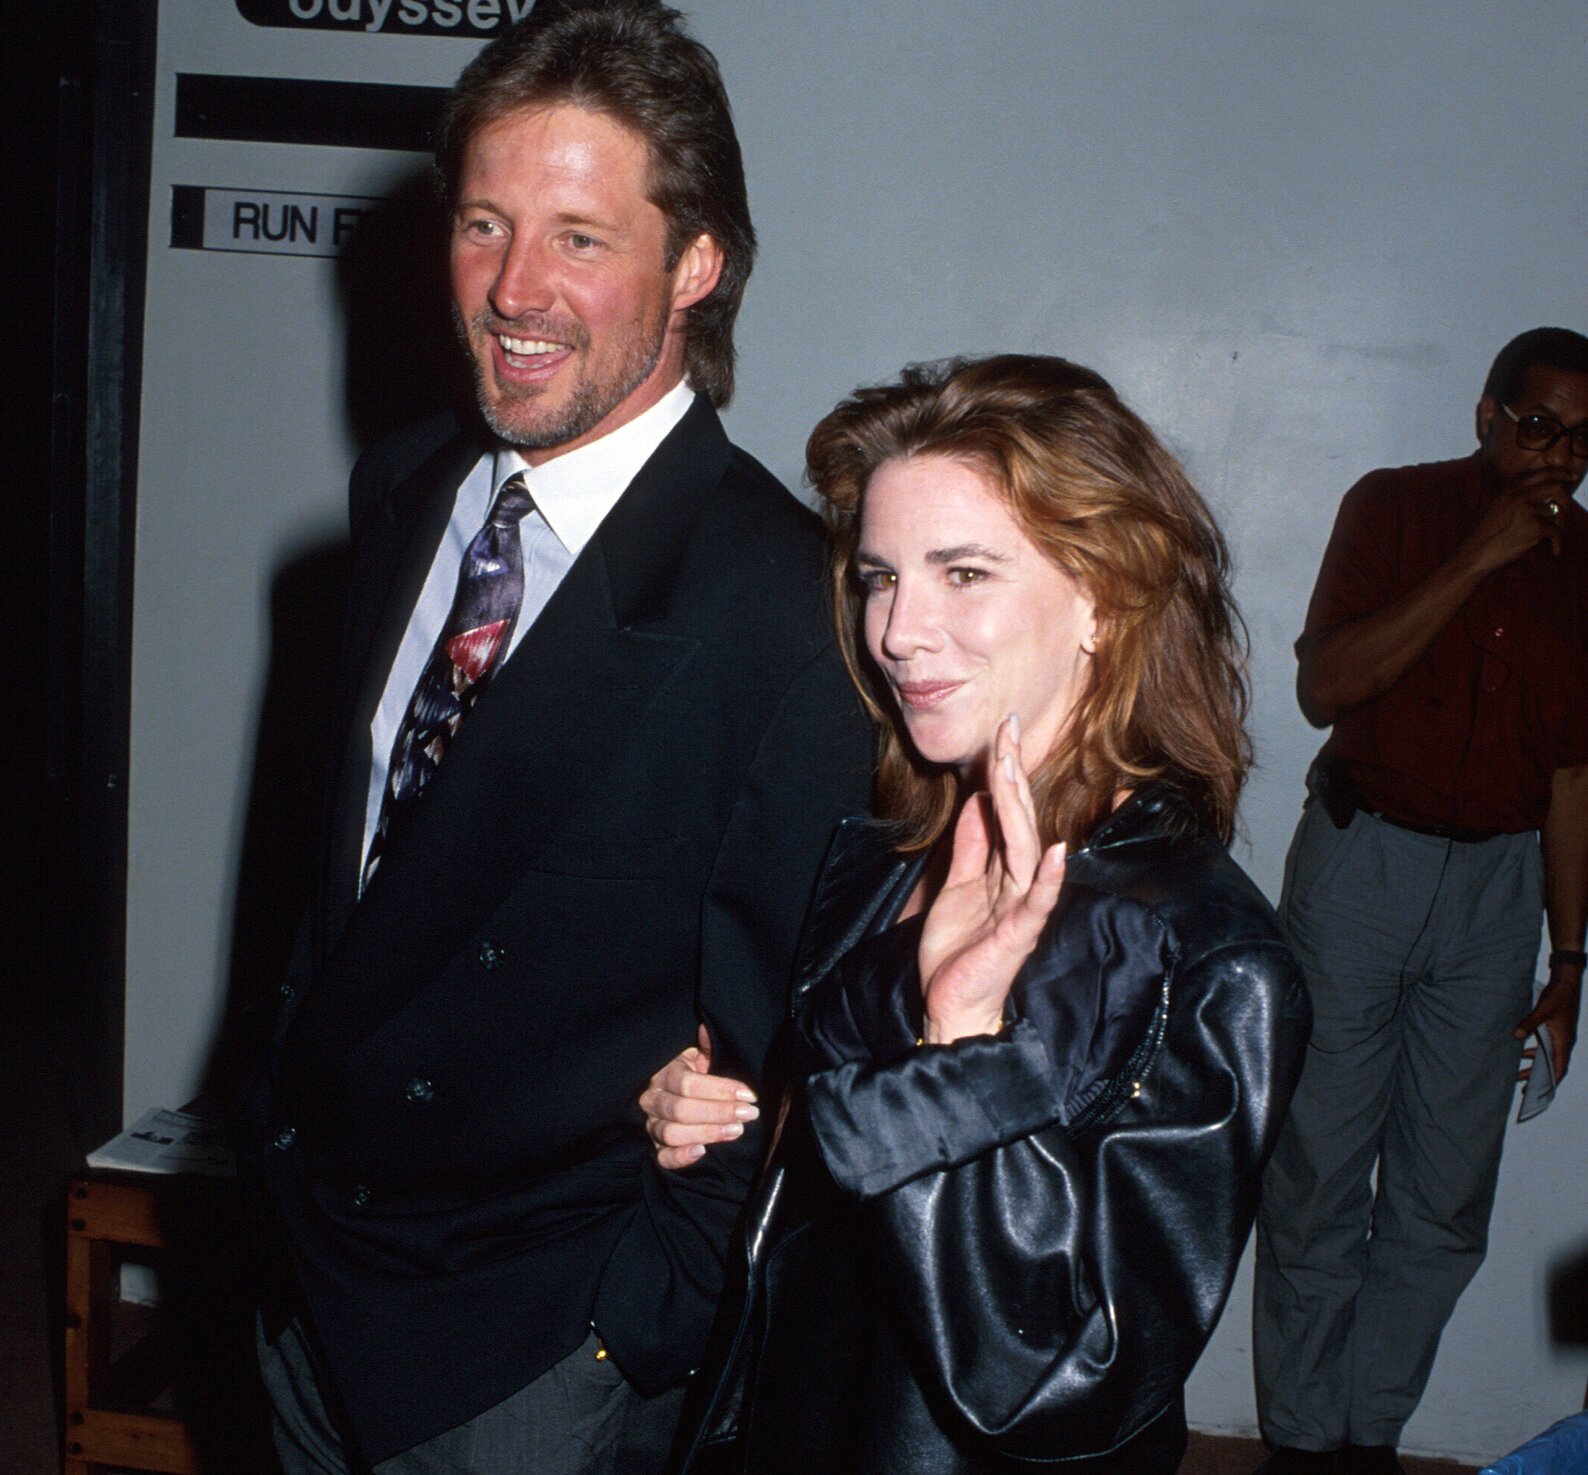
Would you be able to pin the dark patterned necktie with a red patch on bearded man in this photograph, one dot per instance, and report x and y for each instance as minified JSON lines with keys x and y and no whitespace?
{"x":476,"y":636}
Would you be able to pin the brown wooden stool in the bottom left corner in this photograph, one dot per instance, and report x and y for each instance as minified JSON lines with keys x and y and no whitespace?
{"x":106,"y":1214}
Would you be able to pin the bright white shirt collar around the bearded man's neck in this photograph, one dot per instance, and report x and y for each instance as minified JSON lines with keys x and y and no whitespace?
{"x":576,"y":491}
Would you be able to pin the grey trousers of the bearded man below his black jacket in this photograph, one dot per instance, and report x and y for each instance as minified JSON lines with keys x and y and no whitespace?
{"x":577,"y":1419}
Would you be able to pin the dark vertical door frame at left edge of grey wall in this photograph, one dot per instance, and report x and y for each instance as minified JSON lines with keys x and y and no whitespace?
{"x":104,"y":142}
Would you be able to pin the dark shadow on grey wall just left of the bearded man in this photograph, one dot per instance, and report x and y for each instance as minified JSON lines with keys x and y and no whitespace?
{"x":404,"y":364}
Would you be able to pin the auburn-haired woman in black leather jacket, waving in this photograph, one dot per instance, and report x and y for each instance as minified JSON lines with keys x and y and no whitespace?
{"x":1046,"y":1028}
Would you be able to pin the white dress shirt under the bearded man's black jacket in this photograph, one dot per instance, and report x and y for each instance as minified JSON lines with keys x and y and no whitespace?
{"x":572,"y":495}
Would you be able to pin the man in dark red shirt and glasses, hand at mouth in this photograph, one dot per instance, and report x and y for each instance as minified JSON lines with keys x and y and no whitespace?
{"x":1447,"y":647}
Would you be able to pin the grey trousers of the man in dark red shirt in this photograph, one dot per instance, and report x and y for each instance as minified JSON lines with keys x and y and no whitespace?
{"x":1419,"y":957}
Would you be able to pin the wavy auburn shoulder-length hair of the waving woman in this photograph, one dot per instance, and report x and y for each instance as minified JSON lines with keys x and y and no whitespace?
{"x":1095,"y":491}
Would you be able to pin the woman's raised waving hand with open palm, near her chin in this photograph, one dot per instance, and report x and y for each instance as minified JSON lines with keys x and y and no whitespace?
{"x":993,"y":906}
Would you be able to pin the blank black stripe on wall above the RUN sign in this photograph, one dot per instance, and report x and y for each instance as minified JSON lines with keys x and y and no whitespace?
{"x":296,"y":110}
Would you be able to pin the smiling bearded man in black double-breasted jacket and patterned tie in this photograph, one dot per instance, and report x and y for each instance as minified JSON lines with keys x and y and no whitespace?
{"x":611,"y":833}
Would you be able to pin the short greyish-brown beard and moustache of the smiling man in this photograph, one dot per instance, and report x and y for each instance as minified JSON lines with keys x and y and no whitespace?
{"x":512,"y":415}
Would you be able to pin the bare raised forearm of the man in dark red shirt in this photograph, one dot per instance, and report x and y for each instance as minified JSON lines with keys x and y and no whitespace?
{"x":1366,"y":657}
